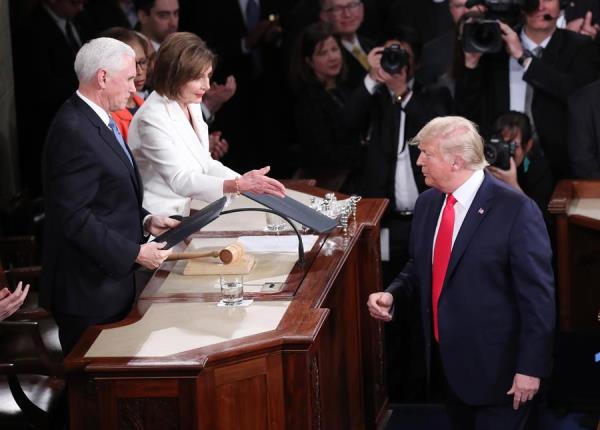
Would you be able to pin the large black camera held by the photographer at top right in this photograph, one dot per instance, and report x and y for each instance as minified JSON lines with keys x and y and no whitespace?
{"x":481,"y":33}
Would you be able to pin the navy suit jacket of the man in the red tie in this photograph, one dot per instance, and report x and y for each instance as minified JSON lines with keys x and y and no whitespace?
{"x":496,"y":312}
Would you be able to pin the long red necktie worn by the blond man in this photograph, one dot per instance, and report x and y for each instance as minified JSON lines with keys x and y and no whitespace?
{"x":441,"y":256}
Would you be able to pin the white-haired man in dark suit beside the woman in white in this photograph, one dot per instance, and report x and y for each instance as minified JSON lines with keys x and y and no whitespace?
{"x":93,"y":196}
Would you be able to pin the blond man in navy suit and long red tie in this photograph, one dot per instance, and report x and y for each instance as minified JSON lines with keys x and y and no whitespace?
{"x":481,"y":265}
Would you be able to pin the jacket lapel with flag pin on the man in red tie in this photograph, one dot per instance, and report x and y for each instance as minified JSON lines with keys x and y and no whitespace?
{"x":480,"y":207}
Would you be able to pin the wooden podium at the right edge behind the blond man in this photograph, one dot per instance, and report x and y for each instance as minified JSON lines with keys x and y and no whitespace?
{"x":576,"y":207}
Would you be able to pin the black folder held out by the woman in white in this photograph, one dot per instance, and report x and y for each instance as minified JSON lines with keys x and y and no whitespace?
{"x":295,"y":210}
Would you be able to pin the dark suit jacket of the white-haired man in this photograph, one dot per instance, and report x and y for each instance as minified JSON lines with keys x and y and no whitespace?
{"x":93,"y":226}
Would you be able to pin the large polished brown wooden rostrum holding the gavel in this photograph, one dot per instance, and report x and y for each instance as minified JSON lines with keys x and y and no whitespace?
{"x":322,"y":367}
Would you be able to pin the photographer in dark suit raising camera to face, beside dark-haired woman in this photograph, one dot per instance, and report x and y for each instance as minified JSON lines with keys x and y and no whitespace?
{"x":395,"y":108}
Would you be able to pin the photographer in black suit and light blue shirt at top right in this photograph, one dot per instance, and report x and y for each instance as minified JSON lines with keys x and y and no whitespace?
{"x":540,"y":68}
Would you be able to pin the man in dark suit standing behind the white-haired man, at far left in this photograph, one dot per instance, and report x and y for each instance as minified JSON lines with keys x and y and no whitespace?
{"x":46,"y":42}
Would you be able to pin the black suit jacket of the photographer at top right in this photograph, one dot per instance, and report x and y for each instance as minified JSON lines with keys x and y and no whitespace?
{"x":568,"y":62}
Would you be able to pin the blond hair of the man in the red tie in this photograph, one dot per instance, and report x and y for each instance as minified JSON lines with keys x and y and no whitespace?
{"x":457,"y":136}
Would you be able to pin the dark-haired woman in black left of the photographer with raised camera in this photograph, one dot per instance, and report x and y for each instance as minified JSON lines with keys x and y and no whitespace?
{"x":329,"y":150}
